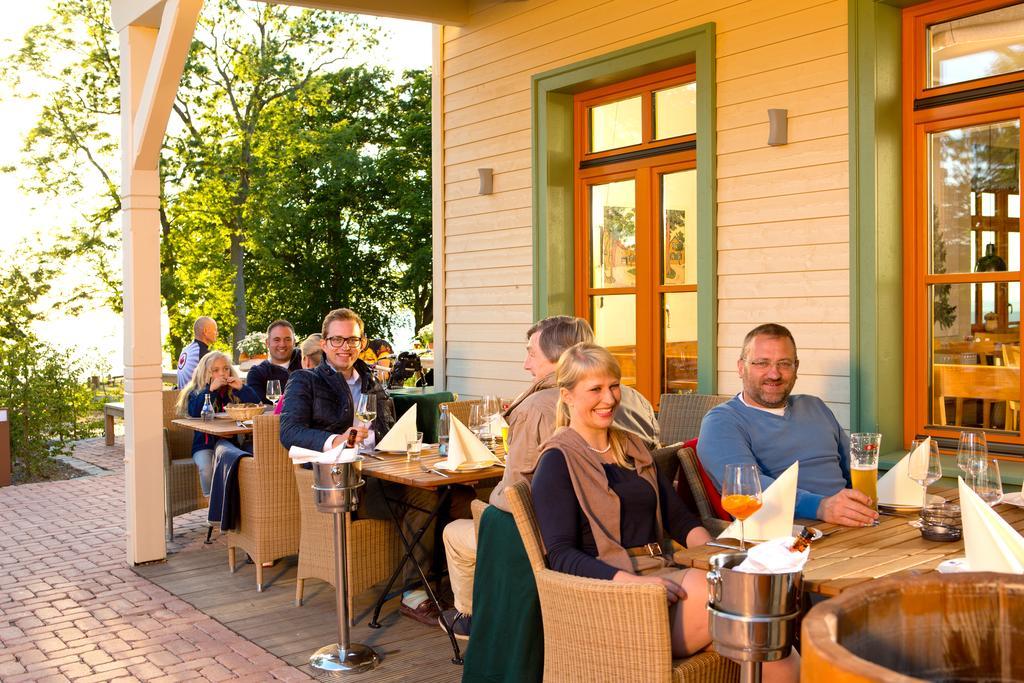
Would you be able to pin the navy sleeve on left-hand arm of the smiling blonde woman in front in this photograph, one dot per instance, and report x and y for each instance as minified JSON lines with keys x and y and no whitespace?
{"x":559,"y":516}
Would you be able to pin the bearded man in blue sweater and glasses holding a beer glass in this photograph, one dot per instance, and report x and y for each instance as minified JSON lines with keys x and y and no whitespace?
{"x":765,"y":425}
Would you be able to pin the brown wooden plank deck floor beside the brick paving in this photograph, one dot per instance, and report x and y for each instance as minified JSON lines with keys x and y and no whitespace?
{"x":410,"y":652}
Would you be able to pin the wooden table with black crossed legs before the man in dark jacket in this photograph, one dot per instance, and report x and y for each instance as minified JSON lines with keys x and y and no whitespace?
{"x":394,"y":468}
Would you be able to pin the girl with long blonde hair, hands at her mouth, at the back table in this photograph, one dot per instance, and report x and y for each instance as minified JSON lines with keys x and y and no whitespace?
{"x":215,"y":377}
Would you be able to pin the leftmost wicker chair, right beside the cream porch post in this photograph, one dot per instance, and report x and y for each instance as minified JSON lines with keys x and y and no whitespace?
{"x":183,"y":492}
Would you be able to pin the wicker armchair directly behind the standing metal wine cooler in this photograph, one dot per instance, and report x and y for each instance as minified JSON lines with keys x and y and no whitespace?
{"x":373,"y":546}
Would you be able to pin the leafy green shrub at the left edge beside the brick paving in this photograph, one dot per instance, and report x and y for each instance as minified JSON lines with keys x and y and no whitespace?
{"x":42,"y":390}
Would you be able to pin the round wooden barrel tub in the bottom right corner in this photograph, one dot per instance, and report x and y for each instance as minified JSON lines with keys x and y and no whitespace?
{"x":919,"y":628}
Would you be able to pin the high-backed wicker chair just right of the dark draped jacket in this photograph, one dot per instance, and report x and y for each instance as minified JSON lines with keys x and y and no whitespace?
{"x":269,"y":520}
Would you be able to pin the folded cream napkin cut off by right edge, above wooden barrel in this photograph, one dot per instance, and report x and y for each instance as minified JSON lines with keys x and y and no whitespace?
{"x":992,"y":544}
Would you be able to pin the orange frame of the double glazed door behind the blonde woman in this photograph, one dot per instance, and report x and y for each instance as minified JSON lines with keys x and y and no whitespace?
{"x":647,"y":172}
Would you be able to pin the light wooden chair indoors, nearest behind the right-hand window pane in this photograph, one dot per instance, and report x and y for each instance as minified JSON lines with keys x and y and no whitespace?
{"x":990,"y":383}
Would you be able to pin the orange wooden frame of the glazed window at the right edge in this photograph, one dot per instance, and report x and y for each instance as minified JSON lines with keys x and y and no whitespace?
{"x":922,"y":118}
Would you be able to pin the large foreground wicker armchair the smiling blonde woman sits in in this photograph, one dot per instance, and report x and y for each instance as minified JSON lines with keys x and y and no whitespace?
{"x":614,"y":632}
